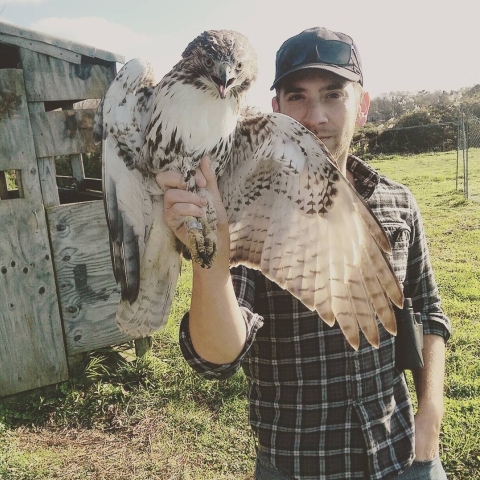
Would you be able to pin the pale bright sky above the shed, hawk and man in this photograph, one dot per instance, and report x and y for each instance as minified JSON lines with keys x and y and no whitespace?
{"x":410,"y":45}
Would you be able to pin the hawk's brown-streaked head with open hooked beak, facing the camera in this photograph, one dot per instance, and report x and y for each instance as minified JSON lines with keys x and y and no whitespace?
{"x":220,"y":60}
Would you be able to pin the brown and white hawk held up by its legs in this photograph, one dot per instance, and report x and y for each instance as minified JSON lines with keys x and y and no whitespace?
{"x":292,"y":214}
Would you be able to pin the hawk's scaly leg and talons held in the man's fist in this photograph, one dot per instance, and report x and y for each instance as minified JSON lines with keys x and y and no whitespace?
{"x":202,"y":239}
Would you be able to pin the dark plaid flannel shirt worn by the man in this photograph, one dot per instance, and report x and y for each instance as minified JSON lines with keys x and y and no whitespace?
{"x":319,"y":409}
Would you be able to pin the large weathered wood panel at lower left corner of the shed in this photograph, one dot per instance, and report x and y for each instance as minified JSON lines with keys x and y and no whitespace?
{"x":32,"y":351}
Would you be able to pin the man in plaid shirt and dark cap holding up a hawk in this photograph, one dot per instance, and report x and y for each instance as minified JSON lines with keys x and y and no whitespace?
{"x":319,"y":409}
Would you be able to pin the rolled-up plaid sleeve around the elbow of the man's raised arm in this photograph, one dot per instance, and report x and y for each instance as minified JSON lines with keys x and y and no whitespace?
{"x":244,"y":285}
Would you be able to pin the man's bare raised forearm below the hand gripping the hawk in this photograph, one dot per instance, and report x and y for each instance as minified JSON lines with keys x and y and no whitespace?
{"x":217,"y":328}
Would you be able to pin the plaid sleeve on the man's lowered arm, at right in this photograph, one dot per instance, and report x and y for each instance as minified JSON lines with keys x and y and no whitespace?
{"x":420,"y":283}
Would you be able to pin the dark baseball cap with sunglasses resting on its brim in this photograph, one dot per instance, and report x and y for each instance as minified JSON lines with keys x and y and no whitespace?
{"x":319,"y":48}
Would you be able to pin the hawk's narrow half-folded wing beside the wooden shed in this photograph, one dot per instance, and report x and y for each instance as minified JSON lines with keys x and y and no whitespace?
{"x":120,"y":122}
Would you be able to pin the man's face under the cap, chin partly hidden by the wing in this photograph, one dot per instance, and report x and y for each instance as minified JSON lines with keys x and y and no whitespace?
{"x":326,"y":104}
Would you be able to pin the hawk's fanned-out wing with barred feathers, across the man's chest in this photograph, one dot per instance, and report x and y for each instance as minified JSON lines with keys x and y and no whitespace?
{"x":296,"y":218}
